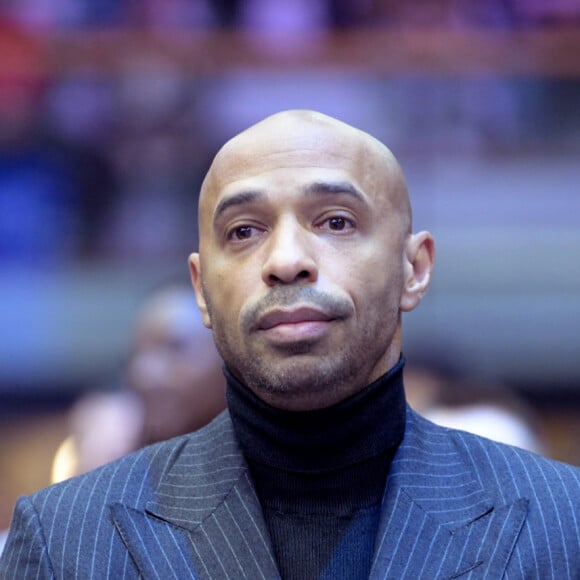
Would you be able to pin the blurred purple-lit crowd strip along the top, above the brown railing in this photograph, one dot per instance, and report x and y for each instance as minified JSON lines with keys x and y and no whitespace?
{"x":288,"y":14}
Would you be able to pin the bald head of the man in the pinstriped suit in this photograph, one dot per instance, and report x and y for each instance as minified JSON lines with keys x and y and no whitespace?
{"x":307,"y":259}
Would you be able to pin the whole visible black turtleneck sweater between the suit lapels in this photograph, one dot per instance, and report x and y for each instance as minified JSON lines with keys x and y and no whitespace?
{"x":320,"y":475}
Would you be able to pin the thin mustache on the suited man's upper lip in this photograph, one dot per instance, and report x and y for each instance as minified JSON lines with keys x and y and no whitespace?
{"x":285,"y":297}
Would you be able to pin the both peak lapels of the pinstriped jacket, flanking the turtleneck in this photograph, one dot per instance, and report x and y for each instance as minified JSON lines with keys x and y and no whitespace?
{"x":204,"y":519}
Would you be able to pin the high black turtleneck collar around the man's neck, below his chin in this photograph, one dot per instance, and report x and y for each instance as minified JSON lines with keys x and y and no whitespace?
{"x":325,"y":439}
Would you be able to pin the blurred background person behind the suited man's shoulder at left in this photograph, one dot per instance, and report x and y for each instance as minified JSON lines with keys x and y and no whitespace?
{"x":174,"y":385}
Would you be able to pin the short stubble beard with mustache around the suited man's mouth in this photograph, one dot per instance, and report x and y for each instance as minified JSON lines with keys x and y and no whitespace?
{"x":331,"y":369}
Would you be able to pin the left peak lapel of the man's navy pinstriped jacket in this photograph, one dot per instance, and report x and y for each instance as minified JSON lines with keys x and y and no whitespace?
{"x":204,"y":520}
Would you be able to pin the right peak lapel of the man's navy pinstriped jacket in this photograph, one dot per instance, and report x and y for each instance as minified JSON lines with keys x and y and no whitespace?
{"x":437,"y":520}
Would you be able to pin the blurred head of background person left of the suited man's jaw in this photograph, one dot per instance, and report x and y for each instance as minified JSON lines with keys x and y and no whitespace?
{"x":174,"y":367}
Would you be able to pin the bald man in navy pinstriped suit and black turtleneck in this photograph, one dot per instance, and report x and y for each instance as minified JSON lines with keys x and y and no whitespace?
{"x":317,"y":470}
